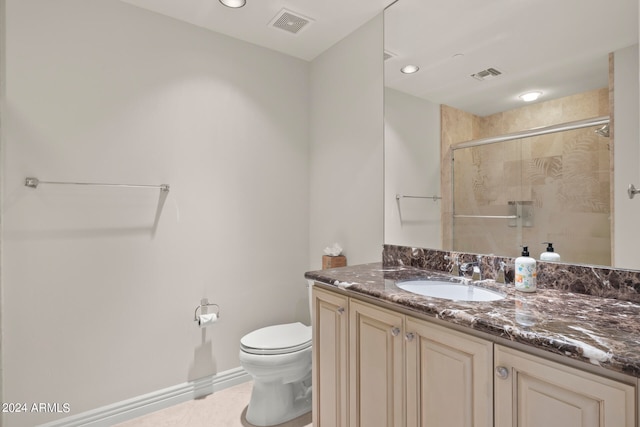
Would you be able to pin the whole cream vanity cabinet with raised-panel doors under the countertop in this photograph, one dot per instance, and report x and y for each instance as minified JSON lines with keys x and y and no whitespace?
{"x":376,"y":366}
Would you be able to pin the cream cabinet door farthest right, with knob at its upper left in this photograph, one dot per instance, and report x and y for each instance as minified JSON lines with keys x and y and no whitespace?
{"x":534,"y":392}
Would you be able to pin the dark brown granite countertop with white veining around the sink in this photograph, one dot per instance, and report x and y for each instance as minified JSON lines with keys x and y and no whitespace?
{"x":601,"y":331}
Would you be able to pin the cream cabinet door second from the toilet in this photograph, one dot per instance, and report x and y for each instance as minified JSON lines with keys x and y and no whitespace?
{"x":376,"y":366}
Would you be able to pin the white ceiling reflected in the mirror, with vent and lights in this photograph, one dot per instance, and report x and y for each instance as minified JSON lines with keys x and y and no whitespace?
{"x":559,"y":47}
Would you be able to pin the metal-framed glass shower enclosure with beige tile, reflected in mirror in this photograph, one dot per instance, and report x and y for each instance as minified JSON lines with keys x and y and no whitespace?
{"x":549,"y":184}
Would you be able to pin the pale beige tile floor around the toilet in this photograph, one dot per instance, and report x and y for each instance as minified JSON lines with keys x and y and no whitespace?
{"x":225,"y":408}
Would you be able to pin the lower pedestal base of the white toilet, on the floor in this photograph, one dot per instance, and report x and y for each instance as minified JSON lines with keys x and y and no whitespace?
{"x":275,"y":403}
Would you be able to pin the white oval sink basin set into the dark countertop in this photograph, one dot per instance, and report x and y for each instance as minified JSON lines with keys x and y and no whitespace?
{"x":449,"y":290}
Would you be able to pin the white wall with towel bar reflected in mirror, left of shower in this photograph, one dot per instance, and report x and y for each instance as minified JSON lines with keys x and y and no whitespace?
{"x":411,"y":167}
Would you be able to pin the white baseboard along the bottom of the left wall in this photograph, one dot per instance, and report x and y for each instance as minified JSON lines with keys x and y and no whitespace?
{"x":151,"y":402}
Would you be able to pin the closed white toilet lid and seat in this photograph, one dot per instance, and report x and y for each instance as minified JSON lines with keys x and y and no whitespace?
{"x":277,"y":339}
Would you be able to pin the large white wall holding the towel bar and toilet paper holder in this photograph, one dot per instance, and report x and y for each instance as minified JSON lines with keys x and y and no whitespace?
{"x":97,"y":301}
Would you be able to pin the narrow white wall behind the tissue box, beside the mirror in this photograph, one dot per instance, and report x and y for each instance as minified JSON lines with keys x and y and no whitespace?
{"x":346,"y":172}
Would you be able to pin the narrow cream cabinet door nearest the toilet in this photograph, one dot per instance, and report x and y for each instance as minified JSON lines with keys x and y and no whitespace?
{"x":330,"y":364}
